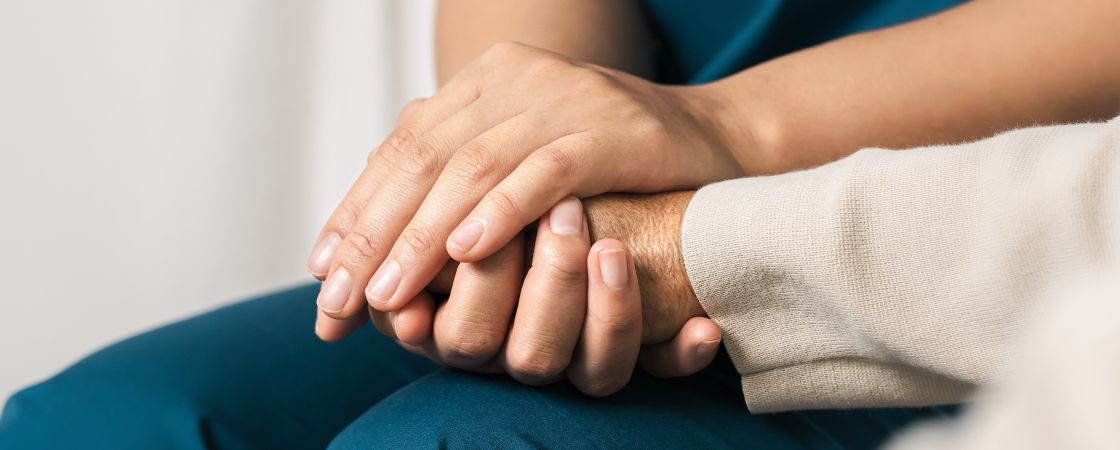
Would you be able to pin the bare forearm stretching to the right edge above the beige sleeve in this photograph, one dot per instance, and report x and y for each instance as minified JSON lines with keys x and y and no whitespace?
{"x":960,"y":76}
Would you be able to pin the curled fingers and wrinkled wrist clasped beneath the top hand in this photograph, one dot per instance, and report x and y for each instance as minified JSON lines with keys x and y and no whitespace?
{"x":583,"y":313}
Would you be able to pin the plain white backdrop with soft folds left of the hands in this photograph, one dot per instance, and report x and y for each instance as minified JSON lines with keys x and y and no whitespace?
{"x":162,"y":158}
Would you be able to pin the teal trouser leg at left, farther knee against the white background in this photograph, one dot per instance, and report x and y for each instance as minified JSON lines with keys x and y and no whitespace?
{"x":251,"y":376}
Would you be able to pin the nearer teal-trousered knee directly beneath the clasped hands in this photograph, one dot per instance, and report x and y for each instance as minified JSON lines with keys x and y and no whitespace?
{"x":451,"y":409}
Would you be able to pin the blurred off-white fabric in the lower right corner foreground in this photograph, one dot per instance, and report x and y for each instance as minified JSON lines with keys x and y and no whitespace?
{"x":1061,"y":395}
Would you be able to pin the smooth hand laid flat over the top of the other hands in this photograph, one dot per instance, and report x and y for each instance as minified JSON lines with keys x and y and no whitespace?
{"x":510,"y":136}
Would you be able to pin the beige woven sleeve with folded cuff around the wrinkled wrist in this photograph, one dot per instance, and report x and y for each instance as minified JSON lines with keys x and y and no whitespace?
{"x":900,"y":278}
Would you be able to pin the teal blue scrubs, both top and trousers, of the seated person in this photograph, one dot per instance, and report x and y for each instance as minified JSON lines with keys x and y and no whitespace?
{"x":254,"y":377}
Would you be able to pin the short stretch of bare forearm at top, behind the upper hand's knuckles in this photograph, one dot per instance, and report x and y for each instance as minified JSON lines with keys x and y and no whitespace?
{"x":612,"y":34}
